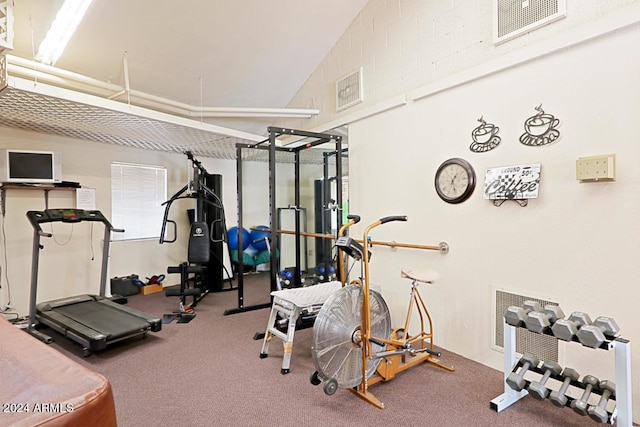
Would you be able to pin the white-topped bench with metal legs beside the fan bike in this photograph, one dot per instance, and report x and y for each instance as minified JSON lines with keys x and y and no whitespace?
{"x":291,"y":304}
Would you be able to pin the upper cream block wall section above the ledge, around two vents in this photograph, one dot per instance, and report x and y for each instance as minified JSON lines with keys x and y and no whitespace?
{"x":405,"y":44}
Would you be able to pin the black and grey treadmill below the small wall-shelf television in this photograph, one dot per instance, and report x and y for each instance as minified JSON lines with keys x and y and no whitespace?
{"x":94,"y":321}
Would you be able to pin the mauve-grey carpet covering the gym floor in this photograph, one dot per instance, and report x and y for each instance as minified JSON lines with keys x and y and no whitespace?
{"x":208,"y":373}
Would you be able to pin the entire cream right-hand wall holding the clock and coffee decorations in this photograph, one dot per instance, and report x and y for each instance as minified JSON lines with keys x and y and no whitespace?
{"x":577,"y":244}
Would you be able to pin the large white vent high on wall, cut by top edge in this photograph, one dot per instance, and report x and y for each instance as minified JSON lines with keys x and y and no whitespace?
{"x":512,"y":18}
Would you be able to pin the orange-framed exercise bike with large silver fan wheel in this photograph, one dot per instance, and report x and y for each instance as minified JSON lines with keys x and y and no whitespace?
{"x":353,"y":345}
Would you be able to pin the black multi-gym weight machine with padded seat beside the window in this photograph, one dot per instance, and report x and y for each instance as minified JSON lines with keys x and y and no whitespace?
{"x":205,"y":262}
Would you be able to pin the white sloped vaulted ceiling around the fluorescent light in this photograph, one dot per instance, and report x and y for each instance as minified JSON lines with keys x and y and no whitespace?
{"x":202,"y":53}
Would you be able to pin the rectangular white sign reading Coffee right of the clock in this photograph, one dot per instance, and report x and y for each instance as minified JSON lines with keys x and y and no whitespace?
{"x":512,"y":182}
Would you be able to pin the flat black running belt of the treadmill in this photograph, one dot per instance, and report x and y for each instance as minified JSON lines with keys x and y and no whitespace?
{"x":105,"y":319}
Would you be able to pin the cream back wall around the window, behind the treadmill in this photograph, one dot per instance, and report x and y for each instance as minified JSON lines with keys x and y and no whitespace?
{"x":74,"y":268}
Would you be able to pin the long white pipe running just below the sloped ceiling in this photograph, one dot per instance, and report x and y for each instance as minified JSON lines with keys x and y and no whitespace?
{"x":69,"y":80}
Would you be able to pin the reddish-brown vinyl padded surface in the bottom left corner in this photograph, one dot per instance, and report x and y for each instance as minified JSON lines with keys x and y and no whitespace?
{"x":42,"y":387}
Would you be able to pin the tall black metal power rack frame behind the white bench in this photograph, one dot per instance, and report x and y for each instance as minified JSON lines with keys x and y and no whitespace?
{"x":309,"y":140}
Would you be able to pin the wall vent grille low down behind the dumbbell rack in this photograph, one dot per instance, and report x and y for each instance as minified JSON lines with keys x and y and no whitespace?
{"x":543,"y":346}
